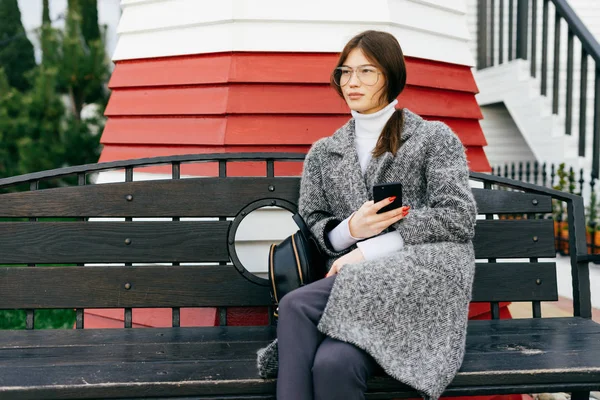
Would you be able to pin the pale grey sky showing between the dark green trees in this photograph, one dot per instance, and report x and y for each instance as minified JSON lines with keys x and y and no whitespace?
{"x":109,"y":12}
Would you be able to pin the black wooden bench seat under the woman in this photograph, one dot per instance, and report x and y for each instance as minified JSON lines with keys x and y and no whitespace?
{"x":216,"y":362}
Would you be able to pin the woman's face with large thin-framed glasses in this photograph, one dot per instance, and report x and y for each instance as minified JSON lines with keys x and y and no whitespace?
{"x":363,"y":98}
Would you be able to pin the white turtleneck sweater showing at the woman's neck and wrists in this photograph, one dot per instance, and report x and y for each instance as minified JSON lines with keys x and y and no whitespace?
{"x":368,"y":128}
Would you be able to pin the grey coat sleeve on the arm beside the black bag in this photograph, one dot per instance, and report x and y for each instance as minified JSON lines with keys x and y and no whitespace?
{"x":313,"y":206}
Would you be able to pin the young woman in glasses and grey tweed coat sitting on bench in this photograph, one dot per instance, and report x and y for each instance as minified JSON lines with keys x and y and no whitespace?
{"x":397,"y":293}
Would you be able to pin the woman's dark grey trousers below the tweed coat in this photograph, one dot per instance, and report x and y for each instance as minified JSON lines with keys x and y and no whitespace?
{"x":312,"y":365}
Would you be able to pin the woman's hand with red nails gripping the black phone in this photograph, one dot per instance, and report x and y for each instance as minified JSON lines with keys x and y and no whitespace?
{"x":366,"y":223}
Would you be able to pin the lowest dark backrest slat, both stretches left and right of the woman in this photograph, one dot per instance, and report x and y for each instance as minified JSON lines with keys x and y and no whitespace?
{"x":205,"y":286}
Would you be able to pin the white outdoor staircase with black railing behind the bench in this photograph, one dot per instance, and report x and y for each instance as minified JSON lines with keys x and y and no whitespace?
{"x":538,"y":59}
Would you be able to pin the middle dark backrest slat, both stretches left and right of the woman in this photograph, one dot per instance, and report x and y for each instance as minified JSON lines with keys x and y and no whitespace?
{"x":206,"y":241}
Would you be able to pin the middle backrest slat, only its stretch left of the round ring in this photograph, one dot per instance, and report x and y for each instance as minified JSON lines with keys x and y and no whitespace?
{"x":113,"y":242}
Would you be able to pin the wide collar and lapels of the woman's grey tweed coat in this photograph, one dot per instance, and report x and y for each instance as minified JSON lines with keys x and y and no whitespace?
{"x":379,"y":169}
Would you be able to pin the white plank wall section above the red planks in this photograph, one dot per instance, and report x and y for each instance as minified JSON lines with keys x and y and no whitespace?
{"x":430,"y":29}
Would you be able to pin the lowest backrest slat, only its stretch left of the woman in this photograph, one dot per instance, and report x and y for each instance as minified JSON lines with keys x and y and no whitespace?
{"x":150,"y":286}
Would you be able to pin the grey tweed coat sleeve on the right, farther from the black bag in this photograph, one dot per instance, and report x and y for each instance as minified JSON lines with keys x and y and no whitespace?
{"x":450,"y":212}
